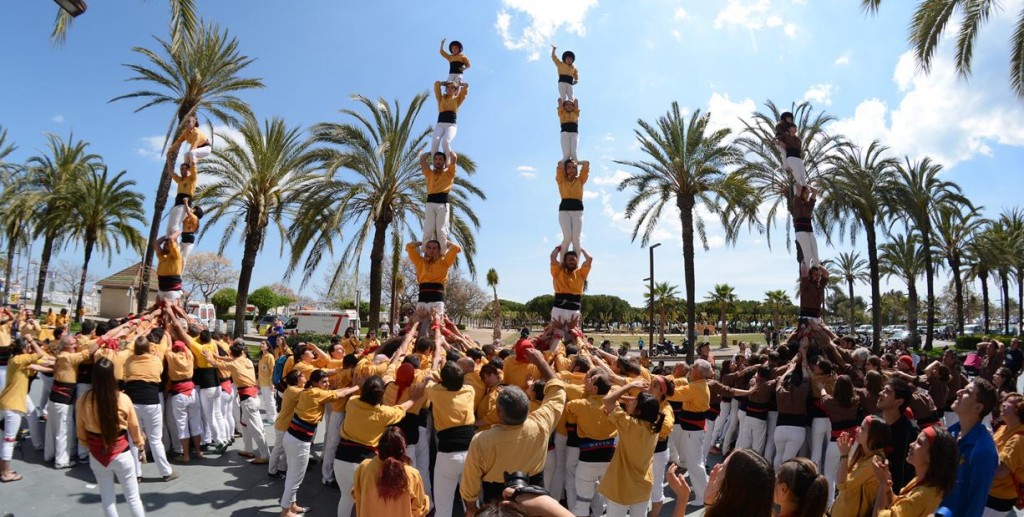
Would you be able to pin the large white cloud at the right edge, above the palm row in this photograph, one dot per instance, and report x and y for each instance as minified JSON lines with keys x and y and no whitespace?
{"x":940,"y":115}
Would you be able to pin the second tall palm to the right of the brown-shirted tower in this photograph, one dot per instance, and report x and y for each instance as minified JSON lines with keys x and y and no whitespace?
{"x":917,"y":195}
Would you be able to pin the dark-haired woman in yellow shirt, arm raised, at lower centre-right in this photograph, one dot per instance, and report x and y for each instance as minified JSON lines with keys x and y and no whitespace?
{"x":629,"y":479}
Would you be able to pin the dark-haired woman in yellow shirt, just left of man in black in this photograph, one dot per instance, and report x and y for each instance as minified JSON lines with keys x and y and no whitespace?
{"x":858,"y":485}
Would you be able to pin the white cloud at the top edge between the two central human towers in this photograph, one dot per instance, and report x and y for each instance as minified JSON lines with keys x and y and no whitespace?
{"x":544,"y":20}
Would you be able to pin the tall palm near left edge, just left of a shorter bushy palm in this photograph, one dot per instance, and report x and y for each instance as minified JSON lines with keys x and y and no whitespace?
{"x":51,"y":176}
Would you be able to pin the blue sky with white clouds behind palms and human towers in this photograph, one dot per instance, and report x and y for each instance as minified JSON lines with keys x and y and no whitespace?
{"x":635,"y":59}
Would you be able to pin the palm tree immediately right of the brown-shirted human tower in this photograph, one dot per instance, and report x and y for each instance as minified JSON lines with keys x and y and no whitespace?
{"x":851,"y":203}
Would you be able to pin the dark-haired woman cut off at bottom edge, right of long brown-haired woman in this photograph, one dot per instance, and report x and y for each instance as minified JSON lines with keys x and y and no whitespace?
{"x":800,"y":490}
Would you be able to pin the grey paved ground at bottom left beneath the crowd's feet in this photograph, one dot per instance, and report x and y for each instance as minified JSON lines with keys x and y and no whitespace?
{"x":217,"y":486}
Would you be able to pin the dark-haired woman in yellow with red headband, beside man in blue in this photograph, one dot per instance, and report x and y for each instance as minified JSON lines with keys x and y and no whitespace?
{"x":934,"y":458}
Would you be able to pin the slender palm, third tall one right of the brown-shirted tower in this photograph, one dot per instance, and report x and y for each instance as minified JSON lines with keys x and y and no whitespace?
{"x":953,"y":228}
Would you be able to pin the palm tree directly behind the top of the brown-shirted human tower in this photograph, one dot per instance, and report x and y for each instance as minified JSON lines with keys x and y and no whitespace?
{"x":764,"y":169}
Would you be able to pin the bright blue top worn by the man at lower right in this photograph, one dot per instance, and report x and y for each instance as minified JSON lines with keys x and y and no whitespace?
{"x":978,"y":460}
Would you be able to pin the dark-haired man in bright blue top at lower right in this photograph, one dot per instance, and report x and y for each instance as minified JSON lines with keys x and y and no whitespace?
{"x":978,"y":459}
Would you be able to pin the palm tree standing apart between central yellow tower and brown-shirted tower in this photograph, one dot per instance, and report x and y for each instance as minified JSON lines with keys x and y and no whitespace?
{"x":687,"y":165}
